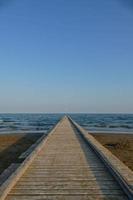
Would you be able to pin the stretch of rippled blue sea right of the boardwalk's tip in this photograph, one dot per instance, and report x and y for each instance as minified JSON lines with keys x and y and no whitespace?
{"x":105,"y":122}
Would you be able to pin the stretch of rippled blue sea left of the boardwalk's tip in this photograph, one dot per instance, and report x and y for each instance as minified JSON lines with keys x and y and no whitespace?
{"x":28,"y":122}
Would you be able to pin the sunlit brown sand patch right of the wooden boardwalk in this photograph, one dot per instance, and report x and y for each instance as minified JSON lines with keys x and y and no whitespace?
{"x":121,"y":145}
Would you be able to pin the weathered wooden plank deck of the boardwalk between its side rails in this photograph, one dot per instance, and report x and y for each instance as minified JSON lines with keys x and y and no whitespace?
{"x":66,"y":168}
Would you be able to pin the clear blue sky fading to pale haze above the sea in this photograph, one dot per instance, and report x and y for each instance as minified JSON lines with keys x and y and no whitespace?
{"x":66,"y":56}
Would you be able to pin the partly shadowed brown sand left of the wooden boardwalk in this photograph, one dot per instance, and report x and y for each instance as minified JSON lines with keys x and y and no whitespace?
{"x":12,"y":146}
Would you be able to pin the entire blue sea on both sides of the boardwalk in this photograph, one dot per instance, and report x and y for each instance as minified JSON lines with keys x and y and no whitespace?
{"x":44,"y":122}
